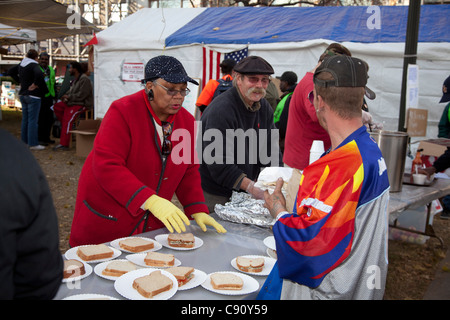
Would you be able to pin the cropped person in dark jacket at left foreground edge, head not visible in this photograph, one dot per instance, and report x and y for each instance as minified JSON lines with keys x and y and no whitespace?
{"x":31,"y":264}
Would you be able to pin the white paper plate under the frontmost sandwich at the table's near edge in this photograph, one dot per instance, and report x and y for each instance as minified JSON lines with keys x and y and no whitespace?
{"x":124,"y":285}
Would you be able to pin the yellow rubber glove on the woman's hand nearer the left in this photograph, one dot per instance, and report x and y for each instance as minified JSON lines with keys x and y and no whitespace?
{"x":167,"y":212}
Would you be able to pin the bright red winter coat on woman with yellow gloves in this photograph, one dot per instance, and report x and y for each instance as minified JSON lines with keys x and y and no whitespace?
{"x":124,"y":169}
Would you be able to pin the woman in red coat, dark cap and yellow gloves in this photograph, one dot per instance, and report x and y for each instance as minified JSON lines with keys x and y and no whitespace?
{"x":142,"y":155}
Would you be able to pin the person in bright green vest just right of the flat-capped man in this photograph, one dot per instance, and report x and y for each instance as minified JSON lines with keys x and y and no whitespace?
{"x":288,"y":82}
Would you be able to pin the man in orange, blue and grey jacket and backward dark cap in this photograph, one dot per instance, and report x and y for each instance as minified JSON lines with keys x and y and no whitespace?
{"x":334,"y":245}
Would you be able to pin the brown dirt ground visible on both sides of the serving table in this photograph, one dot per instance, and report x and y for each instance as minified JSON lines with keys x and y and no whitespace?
{"x":411,"y":266}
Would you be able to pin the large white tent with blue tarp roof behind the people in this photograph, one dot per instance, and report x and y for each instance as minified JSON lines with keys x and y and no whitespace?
{"x":292,"y":43}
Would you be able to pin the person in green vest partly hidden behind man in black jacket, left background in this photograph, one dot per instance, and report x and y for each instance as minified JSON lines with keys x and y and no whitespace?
{"x":46,"y":116}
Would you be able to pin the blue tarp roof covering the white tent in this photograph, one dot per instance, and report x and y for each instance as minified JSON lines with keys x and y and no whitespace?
{"x":243,"y":25}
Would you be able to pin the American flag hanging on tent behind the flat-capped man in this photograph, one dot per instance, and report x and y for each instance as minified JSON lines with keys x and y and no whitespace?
{"x":212,"y":59}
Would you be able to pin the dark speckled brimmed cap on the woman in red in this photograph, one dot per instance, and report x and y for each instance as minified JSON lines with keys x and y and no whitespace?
{"x":167,"y":68}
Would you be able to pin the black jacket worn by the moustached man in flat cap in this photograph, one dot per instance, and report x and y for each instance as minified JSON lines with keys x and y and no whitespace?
{"x":221,"y":172}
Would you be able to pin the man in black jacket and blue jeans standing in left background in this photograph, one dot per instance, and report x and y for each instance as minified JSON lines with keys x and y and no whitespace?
{"x":32,"y":89}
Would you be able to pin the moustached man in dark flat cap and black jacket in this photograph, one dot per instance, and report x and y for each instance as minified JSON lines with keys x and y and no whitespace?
{"x":239,"y":109}
